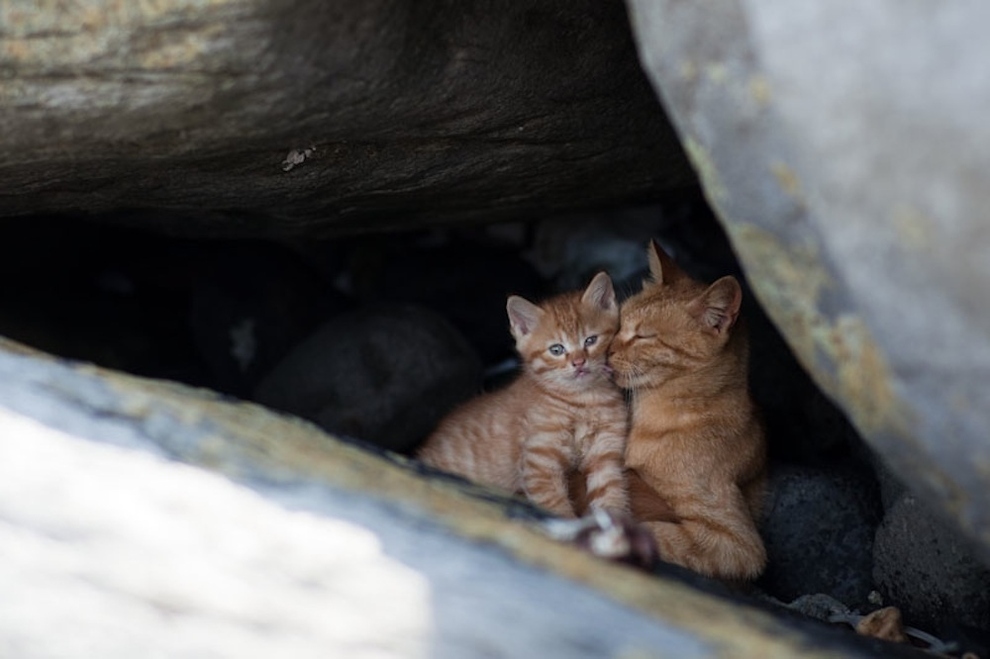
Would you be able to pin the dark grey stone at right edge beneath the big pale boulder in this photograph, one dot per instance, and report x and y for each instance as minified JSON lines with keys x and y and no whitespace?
{"x":924,"y":567}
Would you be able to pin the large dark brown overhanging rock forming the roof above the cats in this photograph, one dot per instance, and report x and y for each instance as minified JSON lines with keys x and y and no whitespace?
{"x":247,"y":118}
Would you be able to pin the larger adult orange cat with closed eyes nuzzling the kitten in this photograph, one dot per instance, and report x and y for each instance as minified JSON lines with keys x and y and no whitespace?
{"x":696,"y":454}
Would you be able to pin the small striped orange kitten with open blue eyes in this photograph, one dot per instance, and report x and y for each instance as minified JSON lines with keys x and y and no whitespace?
{"x":562,"y":416}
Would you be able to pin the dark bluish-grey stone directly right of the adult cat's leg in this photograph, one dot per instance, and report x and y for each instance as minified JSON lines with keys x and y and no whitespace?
{"x":818,"y":527}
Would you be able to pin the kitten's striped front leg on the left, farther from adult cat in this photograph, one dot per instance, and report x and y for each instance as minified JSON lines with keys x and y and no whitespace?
{"x":545,"y":462}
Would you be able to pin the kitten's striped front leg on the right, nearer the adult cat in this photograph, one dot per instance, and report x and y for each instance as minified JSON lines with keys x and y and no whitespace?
{"x":604,"y":471}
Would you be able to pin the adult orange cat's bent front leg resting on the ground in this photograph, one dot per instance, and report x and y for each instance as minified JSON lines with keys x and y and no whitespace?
{"x":715,"y":535}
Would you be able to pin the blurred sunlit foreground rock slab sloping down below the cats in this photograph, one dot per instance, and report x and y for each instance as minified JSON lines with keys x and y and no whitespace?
{"x":141,"y":518}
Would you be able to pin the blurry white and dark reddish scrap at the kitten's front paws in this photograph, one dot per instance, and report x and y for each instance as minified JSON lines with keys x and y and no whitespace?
{"x":608,"y":534}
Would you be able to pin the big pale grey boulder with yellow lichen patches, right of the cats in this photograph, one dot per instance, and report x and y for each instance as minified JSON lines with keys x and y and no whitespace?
{"x":843,"y":147}
